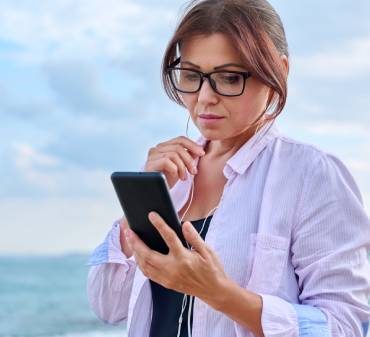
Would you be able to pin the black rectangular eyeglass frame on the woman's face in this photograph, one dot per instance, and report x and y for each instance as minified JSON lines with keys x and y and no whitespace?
{"x":245,"y":74}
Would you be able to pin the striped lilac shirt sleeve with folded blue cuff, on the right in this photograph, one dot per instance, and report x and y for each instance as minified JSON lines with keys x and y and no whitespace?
{"x":330,"y":247}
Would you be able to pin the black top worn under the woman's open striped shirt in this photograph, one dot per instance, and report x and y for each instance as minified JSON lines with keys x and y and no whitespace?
{"x":167,"y":303}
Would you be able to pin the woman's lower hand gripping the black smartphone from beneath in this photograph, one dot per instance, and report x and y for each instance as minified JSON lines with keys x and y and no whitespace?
{"x":196,"y":272}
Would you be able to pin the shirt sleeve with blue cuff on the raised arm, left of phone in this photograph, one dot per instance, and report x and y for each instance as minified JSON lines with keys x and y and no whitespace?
{"x":110,"y":279}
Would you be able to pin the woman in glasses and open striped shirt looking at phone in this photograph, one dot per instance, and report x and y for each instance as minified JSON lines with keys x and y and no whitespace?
{"x":278,"y":234}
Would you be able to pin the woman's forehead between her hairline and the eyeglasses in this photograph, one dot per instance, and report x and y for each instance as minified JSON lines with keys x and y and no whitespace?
{"x":209,"y":50}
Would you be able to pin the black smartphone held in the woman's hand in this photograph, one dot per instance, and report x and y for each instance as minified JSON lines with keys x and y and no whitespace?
{"x":139,"y":193}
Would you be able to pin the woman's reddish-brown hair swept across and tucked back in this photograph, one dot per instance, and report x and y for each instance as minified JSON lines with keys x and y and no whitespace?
{"x":254,"y":28}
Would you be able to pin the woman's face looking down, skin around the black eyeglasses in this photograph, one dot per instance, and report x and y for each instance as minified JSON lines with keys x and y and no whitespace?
{"x":205,"y":53}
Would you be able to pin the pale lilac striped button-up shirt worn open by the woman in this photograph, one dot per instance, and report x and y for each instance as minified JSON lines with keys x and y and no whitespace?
{"x":290,"y":227}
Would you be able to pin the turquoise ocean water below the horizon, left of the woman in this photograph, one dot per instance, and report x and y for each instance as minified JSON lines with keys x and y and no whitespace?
{"x":46,"y":296}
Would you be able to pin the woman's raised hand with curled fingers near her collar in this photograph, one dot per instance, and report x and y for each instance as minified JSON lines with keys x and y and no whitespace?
{"x":174,"y":158}
